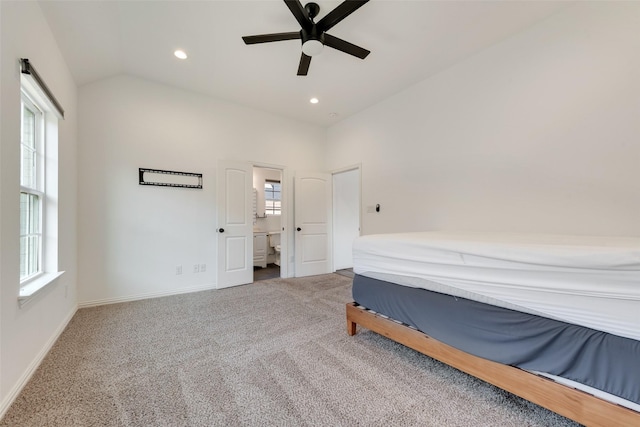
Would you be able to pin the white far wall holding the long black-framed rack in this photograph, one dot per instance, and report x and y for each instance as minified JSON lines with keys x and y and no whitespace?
{"x":132,"y":237}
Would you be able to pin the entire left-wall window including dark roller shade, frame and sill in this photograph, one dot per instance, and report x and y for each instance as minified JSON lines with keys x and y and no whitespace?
{"x":39,"y":115}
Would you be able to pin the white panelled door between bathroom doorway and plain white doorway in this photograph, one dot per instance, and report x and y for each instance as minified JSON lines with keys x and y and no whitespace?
{"x":312,"y":203}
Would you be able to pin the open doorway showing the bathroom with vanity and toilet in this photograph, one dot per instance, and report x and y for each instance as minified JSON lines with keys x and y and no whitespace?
{"x":267,"y":222}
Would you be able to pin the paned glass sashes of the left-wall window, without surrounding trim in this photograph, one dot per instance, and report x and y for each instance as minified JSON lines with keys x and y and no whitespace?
{"x":31,"y":189}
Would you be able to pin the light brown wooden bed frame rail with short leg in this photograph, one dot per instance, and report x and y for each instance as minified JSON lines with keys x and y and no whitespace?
{"x":566,"y":401}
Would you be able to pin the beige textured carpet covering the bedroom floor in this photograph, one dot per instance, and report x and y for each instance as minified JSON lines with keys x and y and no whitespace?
{"x":271,"y":353}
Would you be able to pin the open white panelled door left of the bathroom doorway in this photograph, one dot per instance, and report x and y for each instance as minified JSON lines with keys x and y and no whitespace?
{"x":235,"y":223}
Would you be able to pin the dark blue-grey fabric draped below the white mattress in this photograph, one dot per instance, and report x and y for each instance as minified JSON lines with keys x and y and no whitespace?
{"x":598,"y":359}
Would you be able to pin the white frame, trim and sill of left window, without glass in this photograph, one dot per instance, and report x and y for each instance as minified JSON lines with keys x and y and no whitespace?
{"x":46,"y":187}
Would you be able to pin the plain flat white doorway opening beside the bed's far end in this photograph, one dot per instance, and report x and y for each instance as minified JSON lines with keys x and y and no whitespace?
{"x":346,"y":216}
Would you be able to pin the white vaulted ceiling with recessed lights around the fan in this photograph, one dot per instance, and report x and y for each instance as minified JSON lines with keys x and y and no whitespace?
{"x":409,"y":41}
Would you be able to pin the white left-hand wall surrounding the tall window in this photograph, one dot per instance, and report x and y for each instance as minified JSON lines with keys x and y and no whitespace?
{"x":28,"y":332}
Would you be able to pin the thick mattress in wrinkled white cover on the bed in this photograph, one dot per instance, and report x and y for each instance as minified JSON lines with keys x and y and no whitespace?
{"x":587,"y":281}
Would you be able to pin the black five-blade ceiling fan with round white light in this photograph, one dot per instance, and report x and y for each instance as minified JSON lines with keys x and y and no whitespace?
{"x":313,"y":34}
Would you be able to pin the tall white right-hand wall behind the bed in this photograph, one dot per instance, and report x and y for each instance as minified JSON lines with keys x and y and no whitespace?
{"x":538,"y":133}
